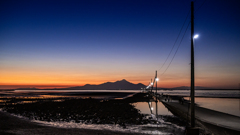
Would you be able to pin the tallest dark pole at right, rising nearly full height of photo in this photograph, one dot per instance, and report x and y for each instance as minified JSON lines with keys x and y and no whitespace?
{"x":192,"y":69}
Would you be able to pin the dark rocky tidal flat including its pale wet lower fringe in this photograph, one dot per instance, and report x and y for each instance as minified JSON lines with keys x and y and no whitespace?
{"x":91,"y":112}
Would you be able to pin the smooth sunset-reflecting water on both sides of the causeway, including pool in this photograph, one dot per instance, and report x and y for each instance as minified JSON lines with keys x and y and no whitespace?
{"x":205,"y":98}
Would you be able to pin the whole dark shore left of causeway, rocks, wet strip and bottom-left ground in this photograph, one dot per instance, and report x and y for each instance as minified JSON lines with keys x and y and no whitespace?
{"x":73,"y":120}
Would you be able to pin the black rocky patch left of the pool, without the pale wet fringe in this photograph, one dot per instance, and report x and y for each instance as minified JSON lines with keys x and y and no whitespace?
{"x":88,"y":111}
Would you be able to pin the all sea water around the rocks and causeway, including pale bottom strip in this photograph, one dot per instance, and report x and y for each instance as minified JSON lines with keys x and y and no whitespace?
{"x":226,"y":101}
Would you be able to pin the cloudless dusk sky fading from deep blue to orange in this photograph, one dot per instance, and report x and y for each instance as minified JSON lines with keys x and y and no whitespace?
{"x":60,"y":43}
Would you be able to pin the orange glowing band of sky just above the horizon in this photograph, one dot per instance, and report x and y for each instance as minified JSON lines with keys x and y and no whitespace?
{"x":66,"y":79}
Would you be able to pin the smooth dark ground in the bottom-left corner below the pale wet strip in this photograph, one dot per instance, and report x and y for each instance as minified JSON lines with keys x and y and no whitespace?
{"x":11,"y":125}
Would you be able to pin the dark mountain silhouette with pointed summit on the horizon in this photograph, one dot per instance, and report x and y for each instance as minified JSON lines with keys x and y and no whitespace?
{"x":118,"y":85}
